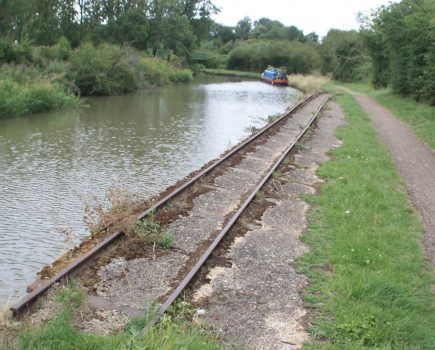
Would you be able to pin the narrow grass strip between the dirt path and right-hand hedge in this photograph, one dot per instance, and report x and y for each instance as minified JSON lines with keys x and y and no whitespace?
{"x":421,"y":117}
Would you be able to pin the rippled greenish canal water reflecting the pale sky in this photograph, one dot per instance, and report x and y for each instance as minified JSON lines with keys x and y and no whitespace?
{"x":52,"y":164}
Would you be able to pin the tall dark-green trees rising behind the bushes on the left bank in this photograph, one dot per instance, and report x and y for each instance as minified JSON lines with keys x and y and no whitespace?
{"x":175,"y":25}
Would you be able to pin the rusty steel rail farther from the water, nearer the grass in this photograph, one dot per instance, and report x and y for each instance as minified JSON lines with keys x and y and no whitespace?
{"x":184,"y":283}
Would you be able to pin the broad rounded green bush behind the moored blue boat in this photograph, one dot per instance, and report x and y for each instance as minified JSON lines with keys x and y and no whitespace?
{"x":256,"y":55}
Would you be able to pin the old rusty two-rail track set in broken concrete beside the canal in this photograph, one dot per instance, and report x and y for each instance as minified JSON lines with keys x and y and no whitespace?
{"x":200,"y":212}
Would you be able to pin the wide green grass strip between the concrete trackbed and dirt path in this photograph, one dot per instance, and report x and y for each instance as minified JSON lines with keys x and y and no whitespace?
{"x":370,"y":283}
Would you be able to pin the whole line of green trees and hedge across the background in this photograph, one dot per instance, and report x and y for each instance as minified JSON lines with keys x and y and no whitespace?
{"x":394,"y":46}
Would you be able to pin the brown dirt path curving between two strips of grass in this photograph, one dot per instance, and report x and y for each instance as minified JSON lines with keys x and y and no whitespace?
{"x":415,"y":161}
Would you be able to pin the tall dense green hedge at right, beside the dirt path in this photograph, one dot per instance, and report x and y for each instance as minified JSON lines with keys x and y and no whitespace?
{"x":400,"y":40}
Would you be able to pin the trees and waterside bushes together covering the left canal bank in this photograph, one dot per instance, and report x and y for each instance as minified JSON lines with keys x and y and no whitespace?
{"x":95,"y":48}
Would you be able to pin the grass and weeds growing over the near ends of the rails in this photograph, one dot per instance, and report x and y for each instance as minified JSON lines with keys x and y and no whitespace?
{"x":174,"y":331}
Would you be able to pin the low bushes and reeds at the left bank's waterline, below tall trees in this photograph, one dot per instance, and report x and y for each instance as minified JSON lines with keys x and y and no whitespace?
{"x":45,"y":81}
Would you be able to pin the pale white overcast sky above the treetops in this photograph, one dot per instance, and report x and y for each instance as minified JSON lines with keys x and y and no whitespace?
{"x":309,"y":15}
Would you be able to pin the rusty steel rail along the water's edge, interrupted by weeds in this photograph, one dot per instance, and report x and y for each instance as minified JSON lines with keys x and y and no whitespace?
{"x":31,"y":297}
